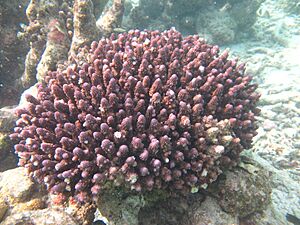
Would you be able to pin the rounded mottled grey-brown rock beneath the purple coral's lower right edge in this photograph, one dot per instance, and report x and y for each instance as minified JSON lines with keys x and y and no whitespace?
{"x":245,"y":190}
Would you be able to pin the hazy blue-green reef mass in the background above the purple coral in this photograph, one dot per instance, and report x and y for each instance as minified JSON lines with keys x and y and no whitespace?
{"x":221,"y":22}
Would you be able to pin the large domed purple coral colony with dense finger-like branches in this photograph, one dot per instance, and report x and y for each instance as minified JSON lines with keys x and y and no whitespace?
{"x":147,"y":110}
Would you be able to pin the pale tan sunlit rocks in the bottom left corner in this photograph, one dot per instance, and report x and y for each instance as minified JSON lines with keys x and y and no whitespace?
{"x":23,"y":201}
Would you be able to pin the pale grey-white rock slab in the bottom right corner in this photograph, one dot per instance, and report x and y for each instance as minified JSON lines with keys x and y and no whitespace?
{"x":284,"y":198}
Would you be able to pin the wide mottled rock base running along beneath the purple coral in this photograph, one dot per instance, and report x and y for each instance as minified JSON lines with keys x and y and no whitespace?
{"x":236,"y":196}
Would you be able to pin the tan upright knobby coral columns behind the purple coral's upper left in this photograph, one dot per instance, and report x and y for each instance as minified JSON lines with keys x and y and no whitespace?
{"x":57,"y":29}
